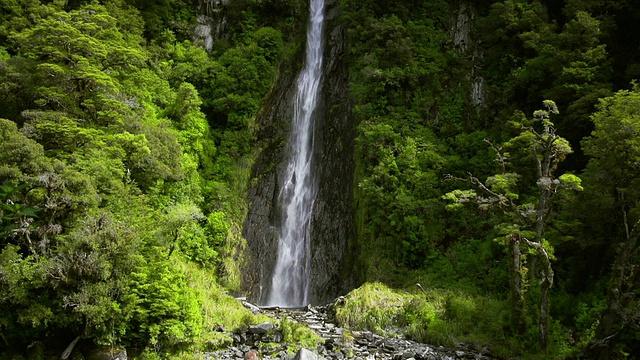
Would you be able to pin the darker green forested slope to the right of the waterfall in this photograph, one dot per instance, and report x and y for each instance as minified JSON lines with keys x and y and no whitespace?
{"x":524,"y":218}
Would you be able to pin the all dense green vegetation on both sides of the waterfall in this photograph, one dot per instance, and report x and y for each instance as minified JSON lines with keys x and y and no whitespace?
{"x":125,"y":151}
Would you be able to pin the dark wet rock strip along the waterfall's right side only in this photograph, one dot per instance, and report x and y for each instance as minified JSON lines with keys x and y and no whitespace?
{"x":332,"y":222}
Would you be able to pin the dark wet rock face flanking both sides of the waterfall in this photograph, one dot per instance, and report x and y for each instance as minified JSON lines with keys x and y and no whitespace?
{"x":334,"y":133}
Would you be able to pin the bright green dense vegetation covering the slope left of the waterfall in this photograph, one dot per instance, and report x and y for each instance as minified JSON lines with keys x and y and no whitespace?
{"x":124,"y":153}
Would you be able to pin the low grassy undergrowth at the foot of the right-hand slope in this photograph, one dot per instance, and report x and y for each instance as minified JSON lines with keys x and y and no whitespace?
{"x":445,"y":317}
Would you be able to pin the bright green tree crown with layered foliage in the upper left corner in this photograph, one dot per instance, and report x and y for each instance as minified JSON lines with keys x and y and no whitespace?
{"x":80,"y":55}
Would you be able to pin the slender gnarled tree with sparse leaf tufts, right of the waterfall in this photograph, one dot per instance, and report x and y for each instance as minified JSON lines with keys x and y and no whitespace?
{"x":526,"y":220}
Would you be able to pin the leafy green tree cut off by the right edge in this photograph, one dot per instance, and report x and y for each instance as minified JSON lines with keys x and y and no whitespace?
{"x":612,"y":178}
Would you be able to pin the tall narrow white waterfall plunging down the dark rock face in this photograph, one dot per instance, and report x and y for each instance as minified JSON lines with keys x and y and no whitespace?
{"x":290,"y":283}
